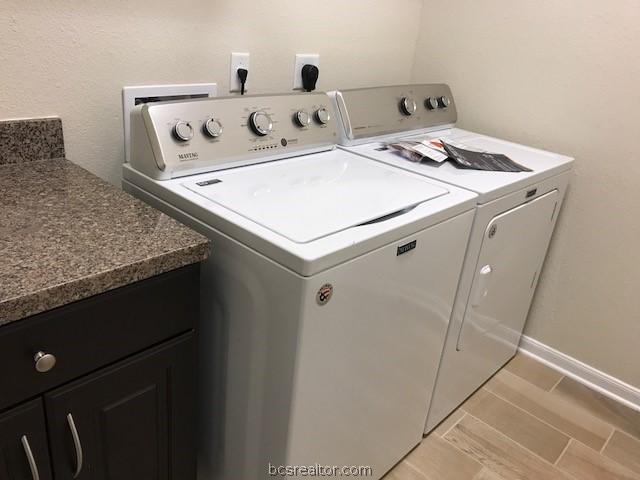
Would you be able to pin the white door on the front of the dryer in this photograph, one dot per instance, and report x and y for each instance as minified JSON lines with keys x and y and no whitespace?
{"x":513,"y":250}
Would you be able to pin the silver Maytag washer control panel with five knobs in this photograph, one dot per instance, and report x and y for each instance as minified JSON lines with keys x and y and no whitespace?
{"x":173,"y":139}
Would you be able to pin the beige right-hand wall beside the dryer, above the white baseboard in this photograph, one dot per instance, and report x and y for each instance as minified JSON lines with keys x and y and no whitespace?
{"x":564,"y":76}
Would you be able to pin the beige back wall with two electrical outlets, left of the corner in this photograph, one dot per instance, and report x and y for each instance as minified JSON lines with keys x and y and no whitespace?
{"x":72,"y":58}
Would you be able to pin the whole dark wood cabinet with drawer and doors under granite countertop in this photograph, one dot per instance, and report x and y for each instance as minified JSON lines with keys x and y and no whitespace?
{"x":119,"y":402}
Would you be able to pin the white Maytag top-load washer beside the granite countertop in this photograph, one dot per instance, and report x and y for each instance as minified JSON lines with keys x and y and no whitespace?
{"x":327,"y":296}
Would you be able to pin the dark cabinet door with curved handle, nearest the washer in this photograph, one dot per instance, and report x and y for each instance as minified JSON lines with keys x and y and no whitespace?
{"x":132,"y":421}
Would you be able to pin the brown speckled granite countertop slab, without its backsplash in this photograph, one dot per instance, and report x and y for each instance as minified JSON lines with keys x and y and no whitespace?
{"x":65,"y":235}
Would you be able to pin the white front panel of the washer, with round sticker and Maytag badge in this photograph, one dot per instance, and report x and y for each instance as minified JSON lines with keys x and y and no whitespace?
{"x":367,"y":359}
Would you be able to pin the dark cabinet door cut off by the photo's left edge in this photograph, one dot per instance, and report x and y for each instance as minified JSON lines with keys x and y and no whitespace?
{"x":23,"y":444}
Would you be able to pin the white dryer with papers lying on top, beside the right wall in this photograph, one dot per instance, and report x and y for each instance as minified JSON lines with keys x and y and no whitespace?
{"x":514,"y":221}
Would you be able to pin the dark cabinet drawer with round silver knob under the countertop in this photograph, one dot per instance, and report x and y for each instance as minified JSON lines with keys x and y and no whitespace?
{"x":91,"y":333}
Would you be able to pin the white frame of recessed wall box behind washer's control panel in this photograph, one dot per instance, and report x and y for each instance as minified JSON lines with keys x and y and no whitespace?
{"x":132,"y":96}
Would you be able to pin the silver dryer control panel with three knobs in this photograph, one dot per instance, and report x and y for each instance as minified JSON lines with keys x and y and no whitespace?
{"x":372,"y":112}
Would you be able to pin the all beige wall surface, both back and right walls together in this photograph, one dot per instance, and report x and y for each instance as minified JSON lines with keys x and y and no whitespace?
{"x":559,"y":75}
